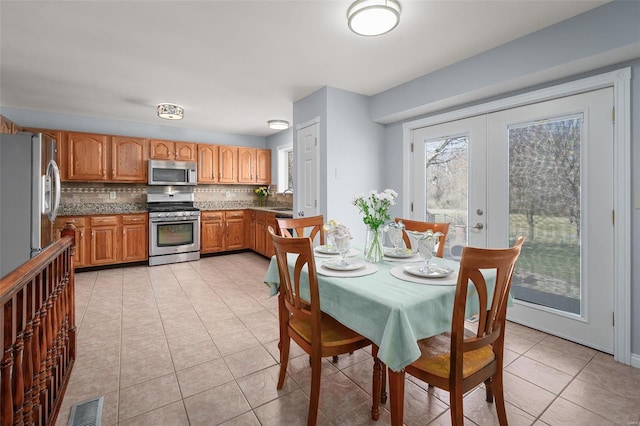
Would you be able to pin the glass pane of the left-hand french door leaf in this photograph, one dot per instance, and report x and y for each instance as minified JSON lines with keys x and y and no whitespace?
{"x":446,"y":187}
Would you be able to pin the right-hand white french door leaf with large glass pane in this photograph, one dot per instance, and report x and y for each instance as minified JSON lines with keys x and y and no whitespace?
{"x":551,"y":179}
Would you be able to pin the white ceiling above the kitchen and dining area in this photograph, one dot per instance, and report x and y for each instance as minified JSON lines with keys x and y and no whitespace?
{"x":233,"y":65}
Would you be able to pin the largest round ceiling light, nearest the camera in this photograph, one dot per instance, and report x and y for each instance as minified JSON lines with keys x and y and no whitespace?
{"x":373,"y":17}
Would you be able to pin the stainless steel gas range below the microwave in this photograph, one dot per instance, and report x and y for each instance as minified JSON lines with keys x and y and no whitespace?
{"x":174,"y":225}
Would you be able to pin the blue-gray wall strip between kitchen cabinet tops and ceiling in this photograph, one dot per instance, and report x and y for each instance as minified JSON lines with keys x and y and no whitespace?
{"x":50,"y":120}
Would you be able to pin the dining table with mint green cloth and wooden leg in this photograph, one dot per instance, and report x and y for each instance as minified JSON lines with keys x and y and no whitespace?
{"x":390,"y":303}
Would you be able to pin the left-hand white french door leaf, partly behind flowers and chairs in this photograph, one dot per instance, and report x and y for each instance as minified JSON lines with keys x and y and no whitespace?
{"x":449,"y":163}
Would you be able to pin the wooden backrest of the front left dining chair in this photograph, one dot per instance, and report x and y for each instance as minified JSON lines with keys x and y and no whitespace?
{"x":287,"y":249}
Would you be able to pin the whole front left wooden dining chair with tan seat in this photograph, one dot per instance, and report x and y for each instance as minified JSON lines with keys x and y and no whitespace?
{"x":317,"y":333}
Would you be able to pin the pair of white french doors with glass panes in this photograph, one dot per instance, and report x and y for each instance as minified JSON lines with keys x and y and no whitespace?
{"x":544,"y":171}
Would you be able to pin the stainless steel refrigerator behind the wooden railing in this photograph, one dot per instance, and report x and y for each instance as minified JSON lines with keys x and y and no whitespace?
{"x":29,"y":197}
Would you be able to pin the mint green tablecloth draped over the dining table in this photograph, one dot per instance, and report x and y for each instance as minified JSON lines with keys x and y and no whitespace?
{"x":392,"y":313}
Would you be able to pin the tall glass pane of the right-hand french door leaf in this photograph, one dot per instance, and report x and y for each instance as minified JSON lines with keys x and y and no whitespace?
{"x":544,"y":205}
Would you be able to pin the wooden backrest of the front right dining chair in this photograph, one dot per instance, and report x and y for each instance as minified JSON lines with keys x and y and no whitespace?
{"x":491,"y":319}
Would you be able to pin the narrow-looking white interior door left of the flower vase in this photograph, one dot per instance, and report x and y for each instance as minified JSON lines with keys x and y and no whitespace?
{"x":308,"y":180}
